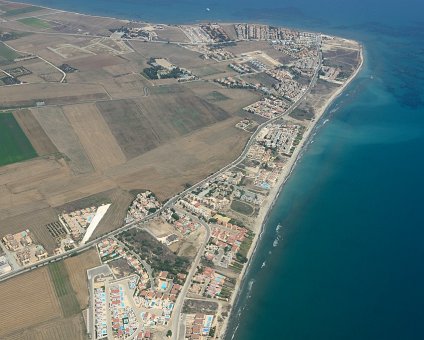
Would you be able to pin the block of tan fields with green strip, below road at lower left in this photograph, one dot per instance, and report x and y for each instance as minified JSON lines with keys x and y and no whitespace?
{"x":43,"y":305}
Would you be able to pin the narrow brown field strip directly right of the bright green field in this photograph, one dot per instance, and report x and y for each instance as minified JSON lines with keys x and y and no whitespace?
{"x":35,"y":133}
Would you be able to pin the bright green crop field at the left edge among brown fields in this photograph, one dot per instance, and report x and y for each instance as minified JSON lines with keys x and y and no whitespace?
{"x":14,"y":145}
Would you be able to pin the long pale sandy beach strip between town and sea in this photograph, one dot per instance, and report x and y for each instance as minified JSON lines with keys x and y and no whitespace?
{"x":277,"y":188}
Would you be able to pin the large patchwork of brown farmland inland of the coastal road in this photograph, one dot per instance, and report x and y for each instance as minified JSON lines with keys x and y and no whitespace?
{"x":107,"y":131}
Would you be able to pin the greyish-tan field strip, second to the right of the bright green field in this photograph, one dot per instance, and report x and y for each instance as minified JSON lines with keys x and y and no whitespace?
{"x":57,"y":127}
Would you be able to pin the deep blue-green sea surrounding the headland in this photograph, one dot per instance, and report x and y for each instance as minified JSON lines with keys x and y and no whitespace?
{"x":349,"y":264}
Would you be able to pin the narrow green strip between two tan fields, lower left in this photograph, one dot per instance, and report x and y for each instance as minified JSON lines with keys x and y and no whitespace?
{"x":64,"y":292}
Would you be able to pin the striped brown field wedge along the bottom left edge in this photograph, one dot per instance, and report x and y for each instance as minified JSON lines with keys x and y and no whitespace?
{"x":69,"y":328}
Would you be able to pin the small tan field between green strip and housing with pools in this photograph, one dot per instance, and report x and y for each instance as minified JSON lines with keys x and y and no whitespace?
{"x":77,"y":267}
